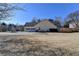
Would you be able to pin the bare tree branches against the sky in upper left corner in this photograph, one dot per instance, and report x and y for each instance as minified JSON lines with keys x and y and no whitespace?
{"x":6,"y":10}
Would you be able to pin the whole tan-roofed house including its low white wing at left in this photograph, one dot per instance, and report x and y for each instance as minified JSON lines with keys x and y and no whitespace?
{"x":44,"y":25}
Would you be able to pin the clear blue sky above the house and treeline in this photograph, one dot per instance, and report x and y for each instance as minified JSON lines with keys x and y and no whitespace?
{"x":41,"y":11}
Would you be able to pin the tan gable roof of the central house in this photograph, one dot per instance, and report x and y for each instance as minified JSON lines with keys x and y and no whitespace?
{"x":46,"y":23}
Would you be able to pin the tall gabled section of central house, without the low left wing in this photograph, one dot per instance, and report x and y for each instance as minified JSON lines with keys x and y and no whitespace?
{"x":45,"y":25}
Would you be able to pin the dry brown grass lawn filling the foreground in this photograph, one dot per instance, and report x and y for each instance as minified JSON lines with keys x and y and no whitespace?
{"x":41,"y":44}
